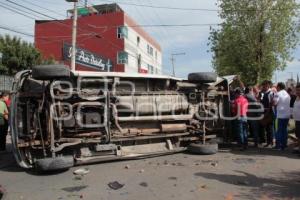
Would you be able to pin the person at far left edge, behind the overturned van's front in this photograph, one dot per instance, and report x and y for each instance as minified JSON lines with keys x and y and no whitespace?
{"x":3,"y":122}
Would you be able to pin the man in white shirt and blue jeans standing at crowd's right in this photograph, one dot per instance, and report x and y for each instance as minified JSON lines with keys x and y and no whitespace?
{"x":282,"y":102}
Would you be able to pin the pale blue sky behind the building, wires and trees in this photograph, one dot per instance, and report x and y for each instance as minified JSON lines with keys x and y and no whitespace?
{"x":190,"y":40}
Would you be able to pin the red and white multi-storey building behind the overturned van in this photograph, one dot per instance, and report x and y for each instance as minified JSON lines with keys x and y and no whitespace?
{"x":107,"y":40}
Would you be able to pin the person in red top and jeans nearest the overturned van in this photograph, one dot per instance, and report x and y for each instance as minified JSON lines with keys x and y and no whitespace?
{"x":240,"y":109}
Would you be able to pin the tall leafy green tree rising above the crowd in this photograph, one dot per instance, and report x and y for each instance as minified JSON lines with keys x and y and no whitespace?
{"x":256,"y":38}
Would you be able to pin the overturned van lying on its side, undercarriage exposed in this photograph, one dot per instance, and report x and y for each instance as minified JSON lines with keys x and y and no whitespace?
{"x":61,"y":118}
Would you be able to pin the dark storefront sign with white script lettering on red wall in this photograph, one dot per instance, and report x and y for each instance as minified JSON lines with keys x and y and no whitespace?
{"x":87,"y":58}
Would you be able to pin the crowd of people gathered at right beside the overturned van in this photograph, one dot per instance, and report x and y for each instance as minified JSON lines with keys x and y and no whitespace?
{"x":265,"y":112}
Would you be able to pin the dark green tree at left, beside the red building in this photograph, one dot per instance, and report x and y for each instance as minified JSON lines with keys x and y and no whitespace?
{"x":18,"y":55}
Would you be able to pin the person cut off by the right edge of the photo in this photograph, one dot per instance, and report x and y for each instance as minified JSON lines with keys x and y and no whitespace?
{"x":296,"y":116}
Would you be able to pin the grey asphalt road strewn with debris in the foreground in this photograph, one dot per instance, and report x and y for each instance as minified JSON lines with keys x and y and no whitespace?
{"x":253,"y":174}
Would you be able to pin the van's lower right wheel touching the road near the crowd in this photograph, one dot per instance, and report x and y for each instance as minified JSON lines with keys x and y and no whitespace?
{"x":203,"y":149}
